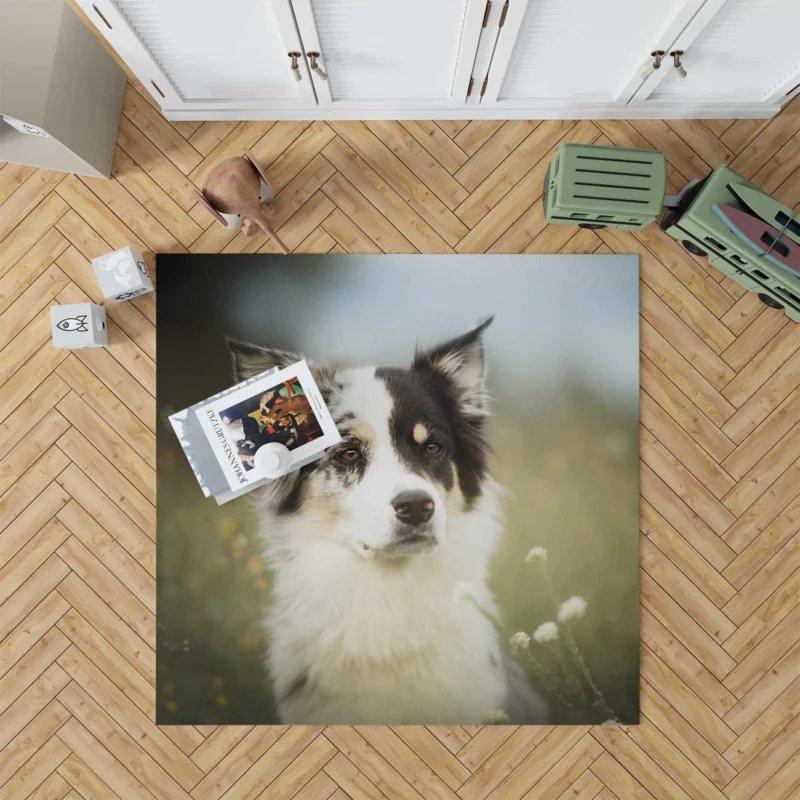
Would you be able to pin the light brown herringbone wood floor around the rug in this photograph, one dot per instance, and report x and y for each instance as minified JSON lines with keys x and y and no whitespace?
{"x":720,"y":468}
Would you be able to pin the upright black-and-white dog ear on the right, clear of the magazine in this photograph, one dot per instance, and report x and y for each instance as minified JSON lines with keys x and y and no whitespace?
{"x":461,"y":360}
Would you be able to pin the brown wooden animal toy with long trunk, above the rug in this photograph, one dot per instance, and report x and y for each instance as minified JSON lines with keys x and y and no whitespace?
{"x":235,"y":192}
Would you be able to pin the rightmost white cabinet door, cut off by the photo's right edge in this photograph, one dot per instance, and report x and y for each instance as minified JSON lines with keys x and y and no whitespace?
{"x":736,"y":51}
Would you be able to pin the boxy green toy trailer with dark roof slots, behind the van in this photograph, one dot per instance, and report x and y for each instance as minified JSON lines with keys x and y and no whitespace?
{"x":605,"y":187}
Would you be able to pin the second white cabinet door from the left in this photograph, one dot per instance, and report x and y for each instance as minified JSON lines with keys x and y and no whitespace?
{"x":388,"y":54}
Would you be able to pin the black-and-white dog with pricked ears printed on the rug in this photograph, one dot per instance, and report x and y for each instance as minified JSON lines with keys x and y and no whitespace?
{"x":371,"y":543}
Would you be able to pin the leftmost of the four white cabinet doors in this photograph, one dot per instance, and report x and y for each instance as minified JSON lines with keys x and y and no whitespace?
{"x":208,"y":54}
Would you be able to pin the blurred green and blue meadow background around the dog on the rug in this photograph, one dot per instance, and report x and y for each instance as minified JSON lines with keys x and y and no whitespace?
{"x":563,"y":371}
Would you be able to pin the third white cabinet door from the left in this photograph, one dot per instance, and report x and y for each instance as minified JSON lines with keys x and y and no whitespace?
{"x":563,"y":54}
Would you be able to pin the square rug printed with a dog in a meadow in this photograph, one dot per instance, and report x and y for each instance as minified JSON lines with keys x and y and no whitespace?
{"x":468,"y":553}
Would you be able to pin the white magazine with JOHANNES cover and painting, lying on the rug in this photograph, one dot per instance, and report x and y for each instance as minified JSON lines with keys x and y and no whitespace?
{"x":231,"y":438}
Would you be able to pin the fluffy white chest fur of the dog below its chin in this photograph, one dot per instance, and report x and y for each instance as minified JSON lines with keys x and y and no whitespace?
{"x":357,"y":642}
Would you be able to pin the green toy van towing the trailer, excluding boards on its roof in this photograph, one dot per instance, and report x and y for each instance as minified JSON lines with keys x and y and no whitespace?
{"x":702,"y":232}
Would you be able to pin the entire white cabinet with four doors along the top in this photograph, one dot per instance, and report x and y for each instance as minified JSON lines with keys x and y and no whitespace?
{"x":449,"y":59}
